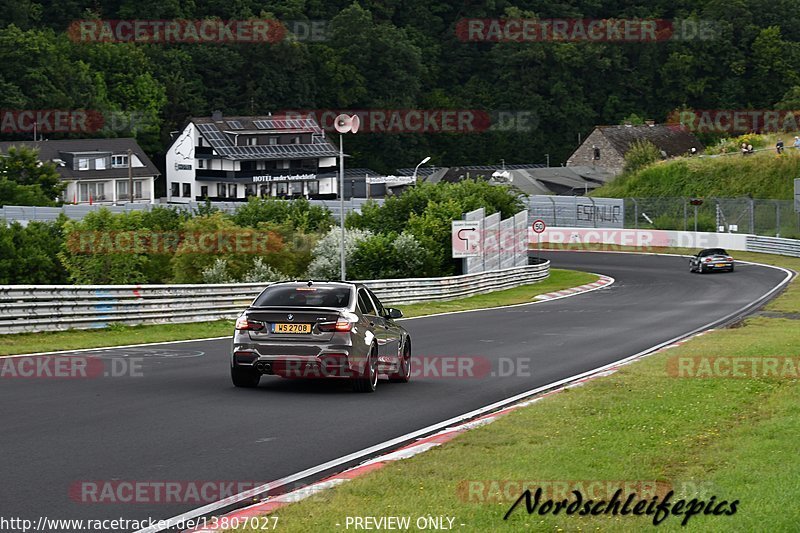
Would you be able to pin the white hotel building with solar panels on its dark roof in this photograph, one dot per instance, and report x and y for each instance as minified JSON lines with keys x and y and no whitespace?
{"x":231,"y":158}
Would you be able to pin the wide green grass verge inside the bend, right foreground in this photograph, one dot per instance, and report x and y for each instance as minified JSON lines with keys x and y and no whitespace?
{"x":724,"y":437}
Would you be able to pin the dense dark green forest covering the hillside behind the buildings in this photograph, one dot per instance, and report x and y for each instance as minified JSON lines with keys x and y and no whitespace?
{"x":402,"y":54}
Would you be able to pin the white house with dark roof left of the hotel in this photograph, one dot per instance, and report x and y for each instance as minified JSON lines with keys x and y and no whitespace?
{"x":96,"y":170}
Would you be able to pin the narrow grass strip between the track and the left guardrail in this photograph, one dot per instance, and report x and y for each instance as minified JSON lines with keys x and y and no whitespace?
{"x":120,"y":335}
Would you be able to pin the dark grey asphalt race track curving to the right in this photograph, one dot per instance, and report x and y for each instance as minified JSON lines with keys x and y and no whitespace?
{"x":182,"y":420}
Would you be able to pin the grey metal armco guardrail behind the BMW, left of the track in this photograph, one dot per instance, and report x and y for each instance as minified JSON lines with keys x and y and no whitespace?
{"x":32,"y":308}
